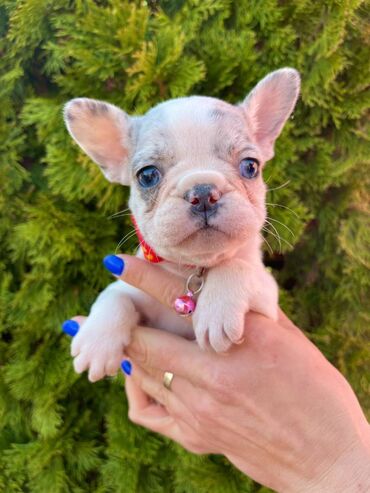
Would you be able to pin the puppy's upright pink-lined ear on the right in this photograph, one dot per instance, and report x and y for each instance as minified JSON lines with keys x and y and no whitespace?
{"x":268,"y":106}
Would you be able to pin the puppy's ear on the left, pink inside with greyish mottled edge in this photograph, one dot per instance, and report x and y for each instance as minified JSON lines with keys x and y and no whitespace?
{"x":102,"y":131}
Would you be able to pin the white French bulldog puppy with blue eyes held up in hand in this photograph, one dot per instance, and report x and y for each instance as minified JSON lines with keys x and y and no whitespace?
{"x":194,"y":165}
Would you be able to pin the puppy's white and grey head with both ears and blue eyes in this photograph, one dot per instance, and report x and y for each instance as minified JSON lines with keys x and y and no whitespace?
{"x":194,"y":164}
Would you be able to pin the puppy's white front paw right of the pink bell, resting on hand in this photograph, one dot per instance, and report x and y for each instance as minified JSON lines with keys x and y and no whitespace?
{"x":219,"y":324}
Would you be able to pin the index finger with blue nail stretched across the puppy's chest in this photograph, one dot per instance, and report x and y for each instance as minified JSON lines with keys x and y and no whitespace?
{"x":162,"y":285}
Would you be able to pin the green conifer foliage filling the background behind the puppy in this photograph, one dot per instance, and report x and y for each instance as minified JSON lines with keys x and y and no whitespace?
{"x":60,"y":433}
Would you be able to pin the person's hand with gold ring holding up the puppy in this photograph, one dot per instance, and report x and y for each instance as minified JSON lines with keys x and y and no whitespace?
{"x":273,"y":405}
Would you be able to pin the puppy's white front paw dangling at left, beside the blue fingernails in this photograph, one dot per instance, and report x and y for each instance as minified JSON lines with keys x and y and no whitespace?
{"x":99,"y":347}
